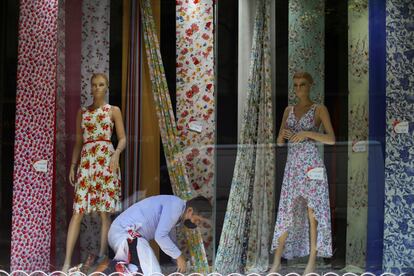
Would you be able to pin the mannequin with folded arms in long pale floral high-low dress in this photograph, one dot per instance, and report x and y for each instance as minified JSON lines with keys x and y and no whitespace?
{"x":303,"y":225}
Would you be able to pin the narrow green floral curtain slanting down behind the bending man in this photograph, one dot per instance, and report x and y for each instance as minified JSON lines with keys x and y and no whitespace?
{"x":168,"y":130}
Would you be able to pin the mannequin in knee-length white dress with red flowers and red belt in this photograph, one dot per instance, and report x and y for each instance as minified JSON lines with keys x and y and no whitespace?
{"x":97,"y":181}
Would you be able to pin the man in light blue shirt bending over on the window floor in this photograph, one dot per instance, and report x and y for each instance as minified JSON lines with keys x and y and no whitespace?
{"x":154,"y":218}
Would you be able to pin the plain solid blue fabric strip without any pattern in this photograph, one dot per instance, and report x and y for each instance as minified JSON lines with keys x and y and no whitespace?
{"x":377,"y":123}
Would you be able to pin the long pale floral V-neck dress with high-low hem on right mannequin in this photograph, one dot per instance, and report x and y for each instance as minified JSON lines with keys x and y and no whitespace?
{"x":301,"y":190}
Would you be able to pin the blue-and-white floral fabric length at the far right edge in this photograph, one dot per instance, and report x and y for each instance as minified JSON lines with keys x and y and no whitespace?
{"x":399,"y":152}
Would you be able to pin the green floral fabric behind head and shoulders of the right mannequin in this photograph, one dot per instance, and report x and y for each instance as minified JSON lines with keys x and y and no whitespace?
{"x":306,"y":44}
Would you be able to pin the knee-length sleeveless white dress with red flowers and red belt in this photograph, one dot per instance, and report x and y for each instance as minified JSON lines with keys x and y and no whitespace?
{"x":97,"y":189}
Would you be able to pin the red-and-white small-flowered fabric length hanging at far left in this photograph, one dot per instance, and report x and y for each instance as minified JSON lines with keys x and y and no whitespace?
{"x":34,"y":135}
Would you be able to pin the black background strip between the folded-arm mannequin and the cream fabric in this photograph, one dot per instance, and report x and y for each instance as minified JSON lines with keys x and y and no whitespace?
{"x":336,"y":100}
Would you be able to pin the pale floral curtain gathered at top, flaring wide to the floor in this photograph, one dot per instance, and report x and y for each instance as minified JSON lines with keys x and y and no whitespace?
{"x":248,"y":223}
